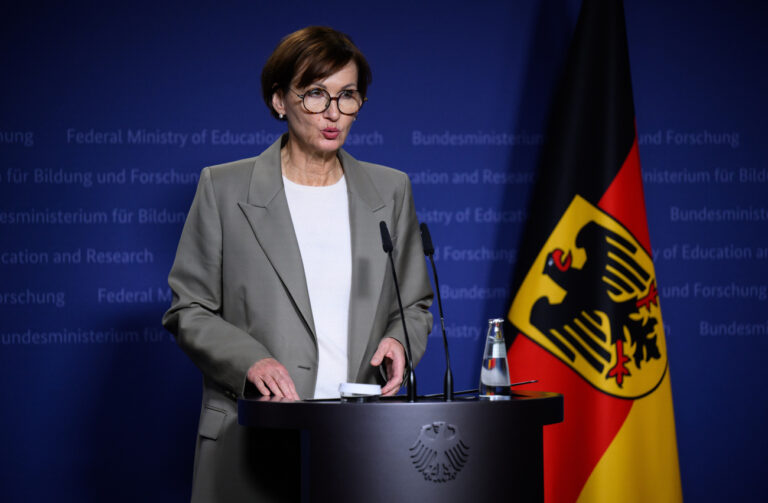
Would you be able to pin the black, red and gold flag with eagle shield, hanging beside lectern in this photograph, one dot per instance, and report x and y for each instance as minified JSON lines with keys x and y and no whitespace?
{"x":586,"y":312}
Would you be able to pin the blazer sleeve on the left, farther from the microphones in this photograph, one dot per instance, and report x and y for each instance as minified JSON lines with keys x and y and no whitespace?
{"x":221,"y":350}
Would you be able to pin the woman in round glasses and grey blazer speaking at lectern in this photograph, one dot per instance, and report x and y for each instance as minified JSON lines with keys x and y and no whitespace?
{"x":280,"y":283}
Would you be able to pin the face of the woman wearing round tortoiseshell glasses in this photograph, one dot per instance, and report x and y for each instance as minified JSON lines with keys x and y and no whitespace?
{"x":320,"y":133}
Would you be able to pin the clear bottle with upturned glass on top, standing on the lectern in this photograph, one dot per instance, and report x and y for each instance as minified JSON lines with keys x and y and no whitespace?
{"x":494,"y":374}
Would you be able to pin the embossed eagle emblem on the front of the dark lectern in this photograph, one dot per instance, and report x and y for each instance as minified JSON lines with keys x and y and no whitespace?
{"x":439,"y":453}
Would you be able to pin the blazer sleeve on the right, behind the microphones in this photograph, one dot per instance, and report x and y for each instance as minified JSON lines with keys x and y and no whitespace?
{"x":415,"y":289}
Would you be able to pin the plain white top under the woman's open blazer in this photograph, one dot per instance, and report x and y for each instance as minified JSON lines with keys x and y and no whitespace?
{"x":320,"y":218}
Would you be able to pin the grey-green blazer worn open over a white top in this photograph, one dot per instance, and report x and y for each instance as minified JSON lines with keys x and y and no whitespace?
{"x":240,"y":295}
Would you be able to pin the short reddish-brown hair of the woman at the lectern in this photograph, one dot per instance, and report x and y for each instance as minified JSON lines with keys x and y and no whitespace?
{"x":316,"y":51}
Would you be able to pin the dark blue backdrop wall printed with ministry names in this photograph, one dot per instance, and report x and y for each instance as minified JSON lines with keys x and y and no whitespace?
{"x":109,"y":111}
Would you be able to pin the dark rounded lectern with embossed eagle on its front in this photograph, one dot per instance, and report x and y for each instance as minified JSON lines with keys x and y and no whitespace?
{"x":392,"y":450}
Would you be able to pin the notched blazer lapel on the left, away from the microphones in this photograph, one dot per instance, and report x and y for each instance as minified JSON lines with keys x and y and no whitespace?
{"x":270,"y":218}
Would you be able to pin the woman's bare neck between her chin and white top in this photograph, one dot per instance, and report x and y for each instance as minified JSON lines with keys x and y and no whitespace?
{"x":309,"y":169}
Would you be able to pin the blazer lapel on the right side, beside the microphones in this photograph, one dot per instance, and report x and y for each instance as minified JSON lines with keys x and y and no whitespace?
{"x":366,"y":210}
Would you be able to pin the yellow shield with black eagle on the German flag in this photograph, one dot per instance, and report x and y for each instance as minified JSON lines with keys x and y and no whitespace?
{"x":591,"y":300}
